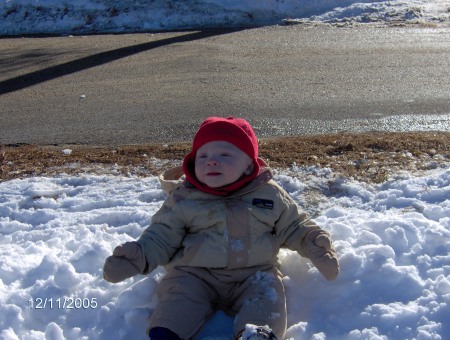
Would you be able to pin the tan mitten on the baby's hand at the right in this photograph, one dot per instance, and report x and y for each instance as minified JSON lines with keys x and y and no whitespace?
{"x":318,"y":247}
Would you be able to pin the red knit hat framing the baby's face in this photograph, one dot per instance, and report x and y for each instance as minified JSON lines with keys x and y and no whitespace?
{"x":236,"y":131}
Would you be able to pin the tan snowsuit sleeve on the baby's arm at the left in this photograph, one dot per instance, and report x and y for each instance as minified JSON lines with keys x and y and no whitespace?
{"x":162,"y":239}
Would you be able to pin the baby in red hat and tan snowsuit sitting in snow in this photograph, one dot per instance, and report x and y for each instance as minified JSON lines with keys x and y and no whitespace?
{"x":219,"y":233}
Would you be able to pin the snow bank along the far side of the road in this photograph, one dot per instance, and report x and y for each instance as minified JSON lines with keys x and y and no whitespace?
{"x":99,"y":16}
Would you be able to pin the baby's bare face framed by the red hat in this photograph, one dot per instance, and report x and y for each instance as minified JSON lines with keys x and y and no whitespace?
{"x":221,"y":163}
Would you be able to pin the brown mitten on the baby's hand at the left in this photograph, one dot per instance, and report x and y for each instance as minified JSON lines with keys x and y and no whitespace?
{"x":127,"y":260}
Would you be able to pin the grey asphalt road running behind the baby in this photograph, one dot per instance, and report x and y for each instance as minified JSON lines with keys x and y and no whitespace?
{"x":140,"y":88}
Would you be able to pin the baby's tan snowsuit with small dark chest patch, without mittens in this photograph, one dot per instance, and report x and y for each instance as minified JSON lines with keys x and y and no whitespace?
{"x":222,"y":253}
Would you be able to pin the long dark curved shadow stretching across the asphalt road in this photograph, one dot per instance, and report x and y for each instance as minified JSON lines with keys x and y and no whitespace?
{"x":53,"y":72}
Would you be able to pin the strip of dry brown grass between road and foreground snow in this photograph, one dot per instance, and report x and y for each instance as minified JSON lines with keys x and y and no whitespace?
{"x":369,"y":157}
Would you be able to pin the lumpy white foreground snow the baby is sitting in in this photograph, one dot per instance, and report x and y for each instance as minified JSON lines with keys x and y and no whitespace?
{"x":393,"y":241}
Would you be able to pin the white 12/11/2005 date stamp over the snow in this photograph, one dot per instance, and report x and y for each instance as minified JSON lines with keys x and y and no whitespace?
{"x":62,"y":303}
